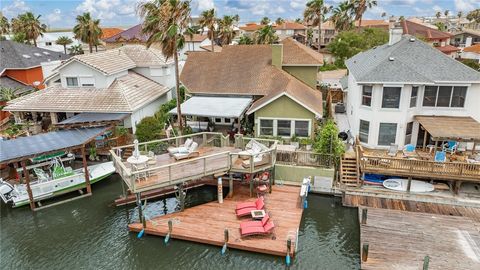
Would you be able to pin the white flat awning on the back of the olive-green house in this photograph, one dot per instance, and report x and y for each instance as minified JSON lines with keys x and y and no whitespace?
{"x":227,"y":107}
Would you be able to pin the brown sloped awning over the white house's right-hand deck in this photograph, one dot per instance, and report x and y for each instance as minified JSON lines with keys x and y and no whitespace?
{"x":443,"y":128}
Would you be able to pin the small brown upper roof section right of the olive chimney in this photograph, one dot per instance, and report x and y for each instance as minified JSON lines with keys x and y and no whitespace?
{"x":295,"y":53}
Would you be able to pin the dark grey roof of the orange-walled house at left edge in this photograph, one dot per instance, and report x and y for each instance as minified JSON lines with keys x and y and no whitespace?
{"x":15,"y":55}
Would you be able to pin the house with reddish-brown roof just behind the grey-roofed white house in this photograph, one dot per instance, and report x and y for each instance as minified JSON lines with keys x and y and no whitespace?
{"x":434,"y":37}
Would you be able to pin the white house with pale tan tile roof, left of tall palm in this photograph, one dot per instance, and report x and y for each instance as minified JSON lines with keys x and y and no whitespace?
{"x":130,"y":80}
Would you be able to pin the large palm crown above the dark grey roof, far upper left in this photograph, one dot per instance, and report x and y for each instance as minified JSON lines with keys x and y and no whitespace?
{"x":30,"y":25}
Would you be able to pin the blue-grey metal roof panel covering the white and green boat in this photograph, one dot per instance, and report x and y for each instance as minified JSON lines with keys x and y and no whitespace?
{"x":31,"y":146}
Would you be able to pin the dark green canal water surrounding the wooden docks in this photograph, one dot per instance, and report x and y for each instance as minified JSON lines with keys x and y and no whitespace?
{"x":91,"y":233}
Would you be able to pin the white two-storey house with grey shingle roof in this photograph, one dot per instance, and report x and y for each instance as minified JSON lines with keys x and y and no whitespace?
{"x":395,"y":88}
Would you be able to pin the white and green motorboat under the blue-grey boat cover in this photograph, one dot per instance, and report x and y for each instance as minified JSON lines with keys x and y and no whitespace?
{"x":61,"y":180}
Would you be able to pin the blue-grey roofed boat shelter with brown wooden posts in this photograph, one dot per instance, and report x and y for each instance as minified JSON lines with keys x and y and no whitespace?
{"x":21,"y":149}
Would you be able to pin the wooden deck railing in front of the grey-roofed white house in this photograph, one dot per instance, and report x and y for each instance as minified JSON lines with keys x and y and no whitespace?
{"x":420,"y":168}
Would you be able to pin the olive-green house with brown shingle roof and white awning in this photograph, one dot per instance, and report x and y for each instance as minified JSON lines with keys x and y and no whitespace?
{"x":272,"y":87}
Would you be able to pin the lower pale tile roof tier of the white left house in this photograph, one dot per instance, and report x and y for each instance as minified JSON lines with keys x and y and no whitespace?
{"x":125,"y":95}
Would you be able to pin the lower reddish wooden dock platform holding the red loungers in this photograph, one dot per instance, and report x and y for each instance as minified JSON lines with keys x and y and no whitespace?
{"x":206,"y":223}
